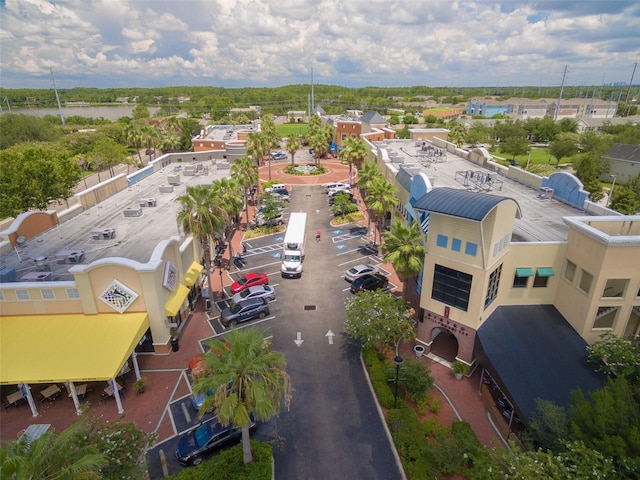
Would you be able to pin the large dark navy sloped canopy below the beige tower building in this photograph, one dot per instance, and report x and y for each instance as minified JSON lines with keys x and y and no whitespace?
{"x":532,"y":352}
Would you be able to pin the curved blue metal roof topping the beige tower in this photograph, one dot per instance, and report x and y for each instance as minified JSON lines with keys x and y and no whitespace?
{"x":460,"y":203}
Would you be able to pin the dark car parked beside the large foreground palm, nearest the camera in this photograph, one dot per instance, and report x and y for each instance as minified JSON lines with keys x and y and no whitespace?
{"x":207,"y":438}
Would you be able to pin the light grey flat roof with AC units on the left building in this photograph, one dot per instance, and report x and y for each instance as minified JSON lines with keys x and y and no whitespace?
{"x":135,"y":237}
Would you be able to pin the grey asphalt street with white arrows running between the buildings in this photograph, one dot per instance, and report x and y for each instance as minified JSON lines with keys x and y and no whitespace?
{"x":332,"y":430}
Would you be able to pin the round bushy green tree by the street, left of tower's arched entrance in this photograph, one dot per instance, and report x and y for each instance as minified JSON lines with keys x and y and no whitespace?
{"x":378,"y":318}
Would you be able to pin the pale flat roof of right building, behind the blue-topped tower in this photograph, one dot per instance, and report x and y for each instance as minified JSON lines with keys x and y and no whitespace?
{"x":541,"y":220}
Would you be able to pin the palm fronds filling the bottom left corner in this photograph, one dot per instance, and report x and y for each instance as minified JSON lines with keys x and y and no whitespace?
{"x":52,"y":456}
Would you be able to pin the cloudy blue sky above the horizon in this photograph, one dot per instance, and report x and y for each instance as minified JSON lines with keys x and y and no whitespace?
{"x":352,"y":43}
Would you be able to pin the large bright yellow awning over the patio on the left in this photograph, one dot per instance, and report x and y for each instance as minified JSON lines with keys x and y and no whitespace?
{"x":67,"y":348}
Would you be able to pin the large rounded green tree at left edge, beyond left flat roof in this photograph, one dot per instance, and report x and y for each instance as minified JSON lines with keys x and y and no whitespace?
{"x":33,"y":176}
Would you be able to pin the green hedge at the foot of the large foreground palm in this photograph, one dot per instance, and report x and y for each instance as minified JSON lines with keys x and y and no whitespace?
{"x":228,"y":465}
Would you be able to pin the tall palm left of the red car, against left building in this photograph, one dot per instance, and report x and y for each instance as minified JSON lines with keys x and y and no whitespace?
{"x":202,"y":216}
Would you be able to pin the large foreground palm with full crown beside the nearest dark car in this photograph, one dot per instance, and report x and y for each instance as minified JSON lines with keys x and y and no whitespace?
{"x":247,"y":377}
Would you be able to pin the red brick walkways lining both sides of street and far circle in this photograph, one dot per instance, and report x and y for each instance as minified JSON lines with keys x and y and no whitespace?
{"x":166,"y":373}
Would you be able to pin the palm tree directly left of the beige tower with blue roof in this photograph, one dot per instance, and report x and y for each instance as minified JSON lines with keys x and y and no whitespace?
{"x":404,"y":249}
